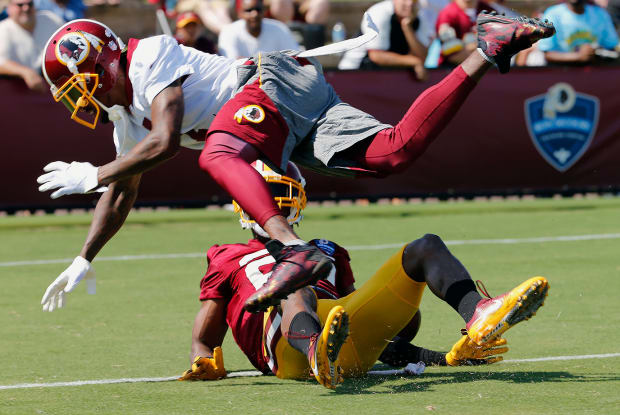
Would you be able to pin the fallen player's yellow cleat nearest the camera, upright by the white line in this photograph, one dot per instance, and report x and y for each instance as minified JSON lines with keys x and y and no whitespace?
{"x":325,"y":347}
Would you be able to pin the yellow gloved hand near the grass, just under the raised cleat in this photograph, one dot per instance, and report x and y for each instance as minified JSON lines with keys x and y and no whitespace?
{"x":466,"y":352}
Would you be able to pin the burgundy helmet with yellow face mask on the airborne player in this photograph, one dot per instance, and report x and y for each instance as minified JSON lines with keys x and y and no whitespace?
{"x":81,"y":61}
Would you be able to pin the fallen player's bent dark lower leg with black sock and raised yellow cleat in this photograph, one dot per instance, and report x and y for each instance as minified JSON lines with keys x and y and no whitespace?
{"x":428,"y":260}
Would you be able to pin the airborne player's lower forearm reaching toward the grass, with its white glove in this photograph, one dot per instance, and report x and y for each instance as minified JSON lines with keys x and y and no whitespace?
{"x":110,"y":214}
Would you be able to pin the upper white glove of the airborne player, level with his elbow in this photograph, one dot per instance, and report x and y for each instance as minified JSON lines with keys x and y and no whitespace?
{"x":69,"y":178}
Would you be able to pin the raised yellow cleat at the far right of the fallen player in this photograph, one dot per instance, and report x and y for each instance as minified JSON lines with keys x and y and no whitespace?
{"x":493,"y":316}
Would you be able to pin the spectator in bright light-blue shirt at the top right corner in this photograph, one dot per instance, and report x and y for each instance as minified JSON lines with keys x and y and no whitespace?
{"x":584,"y":32}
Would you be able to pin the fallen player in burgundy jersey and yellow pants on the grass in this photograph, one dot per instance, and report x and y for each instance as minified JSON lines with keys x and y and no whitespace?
{"x":310,"y":328}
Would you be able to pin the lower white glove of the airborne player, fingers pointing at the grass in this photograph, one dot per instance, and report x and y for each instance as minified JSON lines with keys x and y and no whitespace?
{"x":54,"y":296}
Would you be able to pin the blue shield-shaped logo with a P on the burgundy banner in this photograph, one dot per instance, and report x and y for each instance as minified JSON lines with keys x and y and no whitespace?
{"x":562,"y":123}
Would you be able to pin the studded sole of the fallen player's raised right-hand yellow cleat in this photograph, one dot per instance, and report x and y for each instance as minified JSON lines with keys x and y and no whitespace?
{"x":525,"y":306}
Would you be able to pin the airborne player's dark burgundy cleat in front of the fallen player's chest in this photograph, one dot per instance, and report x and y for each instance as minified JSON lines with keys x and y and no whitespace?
{"x":296,"y":266}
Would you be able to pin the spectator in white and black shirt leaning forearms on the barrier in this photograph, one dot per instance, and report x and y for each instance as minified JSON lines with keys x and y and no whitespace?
{"x":402,"y":42}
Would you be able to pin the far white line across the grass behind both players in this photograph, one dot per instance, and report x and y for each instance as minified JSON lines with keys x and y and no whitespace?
{"x":507,"y":241}
